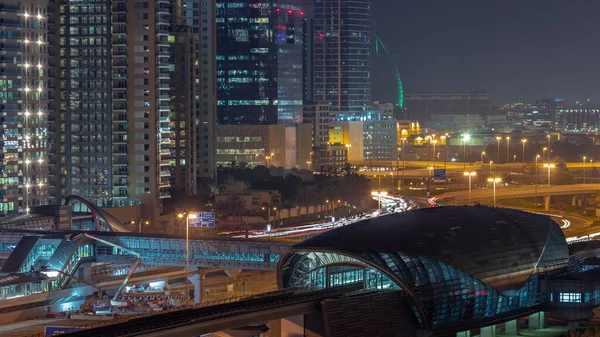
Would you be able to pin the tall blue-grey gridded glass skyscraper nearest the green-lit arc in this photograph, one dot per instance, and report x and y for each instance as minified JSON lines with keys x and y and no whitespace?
{"x":343,"y":32}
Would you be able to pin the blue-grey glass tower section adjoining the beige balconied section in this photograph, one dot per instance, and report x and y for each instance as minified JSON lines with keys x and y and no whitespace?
{"x":81,"y":127}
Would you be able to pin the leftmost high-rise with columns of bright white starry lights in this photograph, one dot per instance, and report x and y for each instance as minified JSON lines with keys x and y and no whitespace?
{"x":24,"y":106}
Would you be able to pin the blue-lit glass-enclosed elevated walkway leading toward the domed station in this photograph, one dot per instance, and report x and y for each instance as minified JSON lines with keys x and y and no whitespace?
{"x":159,"y":251}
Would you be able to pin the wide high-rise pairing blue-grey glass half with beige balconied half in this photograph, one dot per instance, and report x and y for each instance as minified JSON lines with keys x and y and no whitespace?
{"x":113,"y":110}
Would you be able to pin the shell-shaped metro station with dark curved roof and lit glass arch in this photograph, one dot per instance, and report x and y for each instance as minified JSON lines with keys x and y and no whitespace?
{"x":456,"y":267}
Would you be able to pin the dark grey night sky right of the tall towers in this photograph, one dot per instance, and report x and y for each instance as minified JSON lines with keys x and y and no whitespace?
{"x":540,"y":48}
